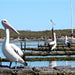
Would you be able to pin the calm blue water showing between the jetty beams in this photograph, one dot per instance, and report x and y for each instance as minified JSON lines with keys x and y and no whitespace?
{"x":37,"y":63}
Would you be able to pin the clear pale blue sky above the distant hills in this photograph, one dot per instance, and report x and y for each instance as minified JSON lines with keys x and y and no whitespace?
{"x":35,"y":15}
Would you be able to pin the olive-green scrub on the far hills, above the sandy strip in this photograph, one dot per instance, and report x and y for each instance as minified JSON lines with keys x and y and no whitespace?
{"x":37,"y":34}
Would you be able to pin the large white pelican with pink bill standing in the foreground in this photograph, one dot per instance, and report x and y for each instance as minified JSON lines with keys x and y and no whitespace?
{"x":11,"y":51}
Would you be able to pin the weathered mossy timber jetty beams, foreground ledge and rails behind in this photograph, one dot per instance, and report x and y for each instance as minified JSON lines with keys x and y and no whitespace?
{"x":42,"y":50}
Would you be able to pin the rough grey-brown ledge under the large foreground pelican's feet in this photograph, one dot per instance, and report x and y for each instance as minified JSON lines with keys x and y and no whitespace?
{"x":37,"y":70}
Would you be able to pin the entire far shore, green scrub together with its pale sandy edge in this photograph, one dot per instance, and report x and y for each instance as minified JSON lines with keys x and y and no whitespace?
{"x":39,"y":35}
